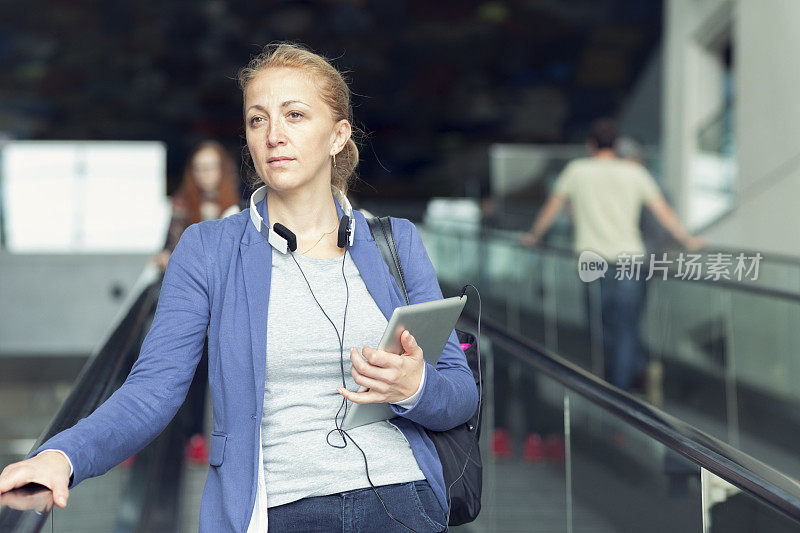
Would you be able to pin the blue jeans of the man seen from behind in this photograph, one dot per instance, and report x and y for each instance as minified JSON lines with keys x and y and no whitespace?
{"x":621,"y":303}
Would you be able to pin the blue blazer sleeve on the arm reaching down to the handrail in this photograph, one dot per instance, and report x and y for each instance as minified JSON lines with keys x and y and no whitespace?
{"x":158,"y":382}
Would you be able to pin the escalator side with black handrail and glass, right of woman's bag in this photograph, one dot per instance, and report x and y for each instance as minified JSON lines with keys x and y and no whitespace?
{"x":626,"y":466}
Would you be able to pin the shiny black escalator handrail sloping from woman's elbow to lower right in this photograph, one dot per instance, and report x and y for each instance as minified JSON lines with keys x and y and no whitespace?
{"x":772,"y":487}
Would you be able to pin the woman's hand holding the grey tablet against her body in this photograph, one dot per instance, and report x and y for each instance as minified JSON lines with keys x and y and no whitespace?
{"x":388,"y":377}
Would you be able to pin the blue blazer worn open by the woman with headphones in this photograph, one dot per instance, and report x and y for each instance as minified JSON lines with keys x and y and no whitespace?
{"x":218,"y":279}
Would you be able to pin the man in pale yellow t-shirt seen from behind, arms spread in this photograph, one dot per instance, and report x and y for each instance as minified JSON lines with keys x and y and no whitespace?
{"x":607,"y":195}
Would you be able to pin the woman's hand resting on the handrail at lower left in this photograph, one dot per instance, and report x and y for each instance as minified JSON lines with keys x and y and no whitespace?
{"x":48,"y":468}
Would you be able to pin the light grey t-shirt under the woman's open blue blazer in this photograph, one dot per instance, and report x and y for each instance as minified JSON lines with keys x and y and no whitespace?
{"x":302,"y":374}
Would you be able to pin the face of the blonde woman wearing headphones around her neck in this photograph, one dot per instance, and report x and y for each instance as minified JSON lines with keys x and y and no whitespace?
{"x":291,"y":133}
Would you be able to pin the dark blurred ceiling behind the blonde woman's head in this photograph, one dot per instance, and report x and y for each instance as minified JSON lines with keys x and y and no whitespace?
{"x":435,"y":83}
